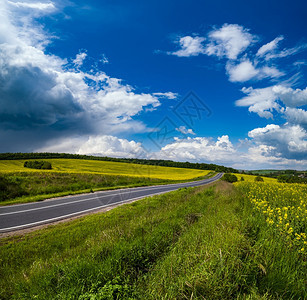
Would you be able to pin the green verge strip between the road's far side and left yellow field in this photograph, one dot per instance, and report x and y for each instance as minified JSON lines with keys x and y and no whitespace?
{"x":26,"y":187}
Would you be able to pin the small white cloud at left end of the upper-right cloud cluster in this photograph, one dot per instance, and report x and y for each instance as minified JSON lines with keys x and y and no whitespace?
{"x":190,"y":46}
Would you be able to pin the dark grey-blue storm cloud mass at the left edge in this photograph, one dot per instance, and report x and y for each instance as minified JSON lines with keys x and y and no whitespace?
{"x":30,"y":98}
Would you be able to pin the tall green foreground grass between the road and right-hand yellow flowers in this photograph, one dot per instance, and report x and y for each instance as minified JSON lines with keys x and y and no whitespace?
{"x":201,"y":243}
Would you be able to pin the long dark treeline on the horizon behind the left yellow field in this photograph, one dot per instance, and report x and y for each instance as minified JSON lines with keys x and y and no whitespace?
{"x":155,"y":162}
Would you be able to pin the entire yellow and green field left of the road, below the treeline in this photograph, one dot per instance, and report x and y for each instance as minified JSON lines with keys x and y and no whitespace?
{"x":71,"y":176}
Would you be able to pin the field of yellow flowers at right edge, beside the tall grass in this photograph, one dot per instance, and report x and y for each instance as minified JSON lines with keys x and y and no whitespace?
{"x":284,"y":207}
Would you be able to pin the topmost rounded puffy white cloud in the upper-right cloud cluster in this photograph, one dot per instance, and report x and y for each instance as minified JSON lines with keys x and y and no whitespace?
{"x":229,"y":41}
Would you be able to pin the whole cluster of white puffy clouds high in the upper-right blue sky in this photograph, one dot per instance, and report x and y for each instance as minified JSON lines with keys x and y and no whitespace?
{"x":232,"y":41}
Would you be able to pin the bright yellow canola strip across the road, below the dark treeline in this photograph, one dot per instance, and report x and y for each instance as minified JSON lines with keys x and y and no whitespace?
{"x":106,"y":168}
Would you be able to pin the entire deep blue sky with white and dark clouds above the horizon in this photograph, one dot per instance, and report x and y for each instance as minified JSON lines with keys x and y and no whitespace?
{"x":202,"y":81}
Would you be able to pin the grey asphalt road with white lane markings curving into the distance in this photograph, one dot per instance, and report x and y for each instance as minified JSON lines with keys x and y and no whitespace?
{"x":21,"y":216}
